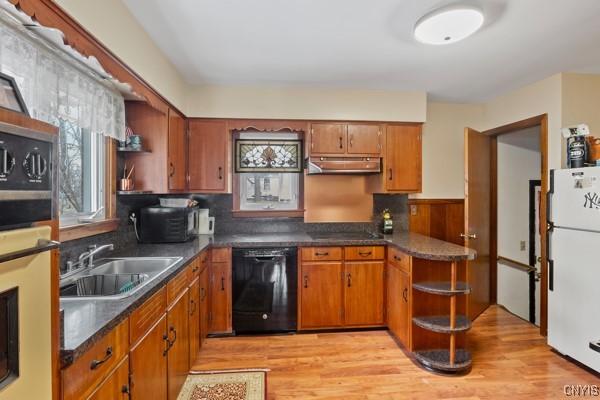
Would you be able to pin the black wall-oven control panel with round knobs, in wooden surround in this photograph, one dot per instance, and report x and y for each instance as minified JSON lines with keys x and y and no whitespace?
{"x":28,"y":176}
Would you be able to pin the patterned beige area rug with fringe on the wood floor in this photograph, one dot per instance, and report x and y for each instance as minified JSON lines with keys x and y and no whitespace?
{"x":225,"y":385}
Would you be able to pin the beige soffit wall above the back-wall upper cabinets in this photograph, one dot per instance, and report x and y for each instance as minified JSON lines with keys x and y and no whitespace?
{"x":305,"y":103}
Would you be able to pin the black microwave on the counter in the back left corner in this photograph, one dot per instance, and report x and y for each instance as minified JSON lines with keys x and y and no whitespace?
{"x":167,"y":224}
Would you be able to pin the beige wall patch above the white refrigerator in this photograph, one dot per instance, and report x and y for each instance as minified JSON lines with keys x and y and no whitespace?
{"x":581,"y":101}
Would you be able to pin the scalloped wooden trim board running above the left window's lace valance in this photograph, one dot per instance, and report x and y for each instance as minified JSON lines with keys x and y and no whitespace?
{"x":50,"y":14}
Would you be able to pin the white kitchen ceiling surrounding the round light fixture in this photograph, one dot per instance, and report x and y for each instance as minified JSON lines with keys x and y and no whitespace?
{"x":368,"y":44}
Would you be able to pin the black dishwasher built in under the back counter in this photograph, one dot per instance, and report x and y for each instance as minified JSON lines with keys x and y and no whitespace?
{"x":264,"y":290}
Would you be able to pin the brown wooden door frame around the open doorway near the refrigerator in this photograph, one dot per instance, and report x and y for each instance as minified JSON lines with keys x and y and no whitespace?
{"x":542,"y":122}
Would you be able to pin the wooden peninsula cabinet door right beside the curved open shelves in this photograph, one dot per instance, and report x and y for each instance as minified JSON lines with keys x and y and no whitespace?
{"x":398,"y":304}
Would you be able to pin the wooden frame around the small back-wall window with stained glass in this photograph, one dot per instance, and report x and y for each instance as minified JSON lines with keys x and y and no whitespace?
{"x":237,"y":211}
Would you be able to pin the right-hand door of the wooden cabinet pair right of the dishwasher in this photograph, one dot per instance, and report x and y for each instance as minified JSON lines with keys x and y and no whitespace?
{"x":363,"y":293}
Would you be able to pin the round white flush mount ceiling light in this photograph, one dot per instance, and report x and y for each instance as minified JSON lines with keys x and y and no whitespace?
{"x":448,"y":25}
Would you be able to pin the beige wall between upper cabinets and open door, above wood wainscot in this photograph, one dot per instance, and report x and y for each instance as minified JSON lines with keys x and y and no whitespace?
{"x":443,"y":148}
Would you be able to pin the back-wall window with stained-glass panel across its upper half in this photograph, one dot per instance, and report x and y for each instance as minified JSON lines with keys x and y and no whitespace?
{"x":268,"y":170}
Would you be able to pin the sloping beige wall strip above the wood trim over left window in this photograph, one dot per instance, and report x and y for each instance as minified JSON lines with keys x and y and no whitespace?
{"x":111,"y":22}
